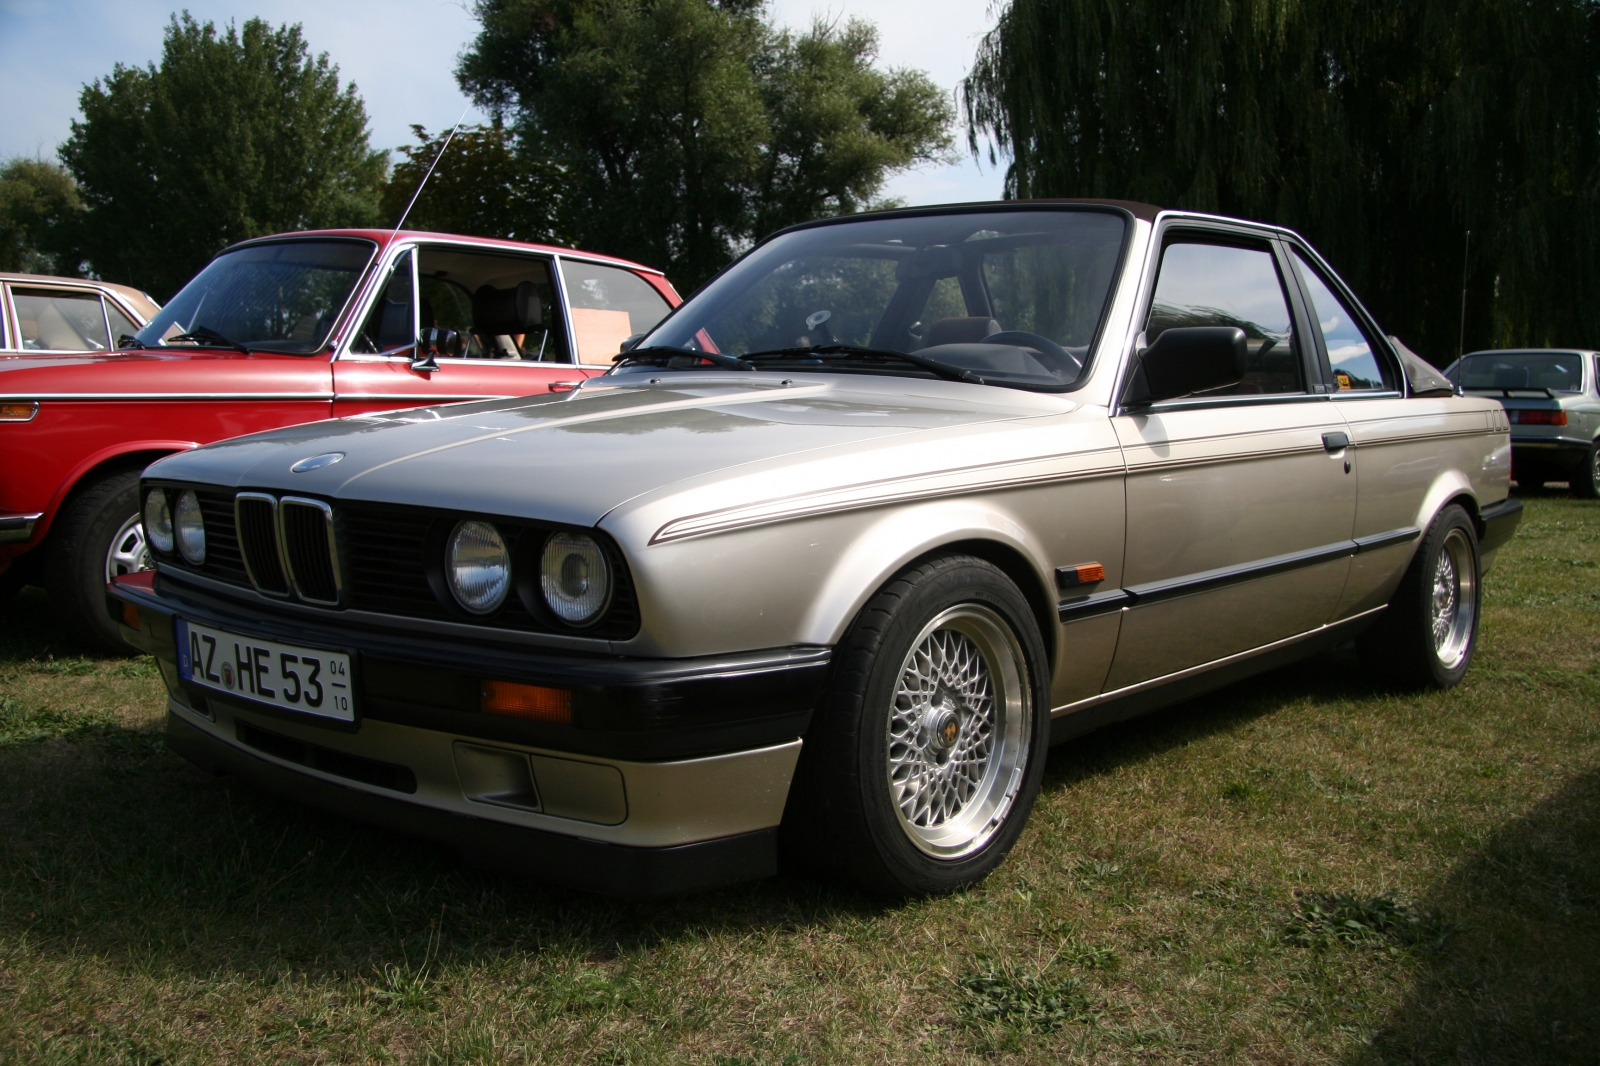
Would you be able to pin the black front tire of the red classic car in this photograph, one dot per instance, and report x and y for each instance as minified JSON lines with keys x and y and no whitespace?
{"x":81,"y":545}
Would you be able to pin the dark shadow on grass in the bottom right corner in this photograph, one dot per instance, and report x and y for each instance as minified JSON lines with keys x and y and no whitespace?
{"x":1519,"y":982}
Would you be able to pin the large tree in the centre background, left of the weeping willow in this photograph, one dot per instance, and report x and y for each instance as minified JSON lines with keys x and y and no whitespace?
{"x":687,"y":129}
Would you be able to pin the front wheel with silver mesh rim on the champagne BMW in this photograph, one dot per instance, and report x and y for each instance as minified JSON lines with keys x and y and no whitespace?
{"x":847,"y":816}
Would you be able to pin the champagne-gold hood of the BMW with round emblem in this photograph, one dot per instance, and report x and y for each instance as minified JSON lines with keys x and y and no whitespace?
{"x":577,"y":457}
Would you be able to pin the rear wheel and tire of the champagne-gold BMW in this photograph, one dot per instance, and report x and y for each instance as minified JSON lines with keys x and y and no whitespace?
{"x":1428,"y":635}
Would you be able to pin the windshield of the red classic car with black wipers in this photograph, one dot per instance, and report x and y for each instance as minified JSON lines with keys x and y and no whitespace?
{"x":279,"y":299}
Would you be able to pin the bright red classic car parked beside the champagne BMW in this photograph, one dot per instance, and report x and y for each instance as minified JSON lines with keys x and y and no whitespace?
{"x":276,"y":332}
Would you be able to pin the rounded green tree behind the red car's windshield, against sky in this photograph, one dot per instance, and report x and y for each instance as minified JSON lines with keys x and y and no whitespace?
{"x":234,"y":135}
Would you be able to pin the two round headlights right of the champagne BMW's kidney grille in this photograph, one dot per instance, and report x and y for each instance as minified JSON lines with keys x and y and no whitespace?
{"x":575,"y":577}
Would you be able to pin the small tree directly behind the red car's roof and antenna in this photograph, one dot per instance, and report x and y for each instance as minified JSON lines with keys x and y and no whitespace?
{"x":482,"y":186}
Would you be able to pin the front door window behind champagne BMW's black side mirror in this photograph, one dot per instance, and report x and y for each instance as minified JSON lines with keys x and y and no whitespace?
{"x":1204,"y":284}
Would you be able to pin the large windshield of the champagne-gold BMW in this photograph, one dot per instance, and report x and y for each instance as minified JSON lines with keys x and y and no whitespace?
{"x":1010,"y":299}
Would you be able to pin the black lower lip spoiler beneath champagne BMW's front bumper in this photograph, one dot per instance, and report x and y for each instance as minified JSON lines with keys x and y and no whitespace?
{"x":590,"y":865}
